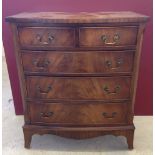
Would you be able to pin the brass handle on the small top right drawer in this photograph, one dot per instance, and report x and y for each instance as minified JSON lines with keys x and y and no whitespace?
{"x":116,"y":38}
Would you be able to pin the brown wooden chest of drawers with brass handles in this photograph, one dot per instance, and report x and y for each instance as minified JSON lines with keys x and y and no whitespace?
{"x":78,"y":72}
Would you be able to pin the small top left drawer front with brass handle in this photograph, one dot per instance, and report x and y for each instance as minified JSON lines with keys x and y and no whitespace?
{"x":45,"y":37}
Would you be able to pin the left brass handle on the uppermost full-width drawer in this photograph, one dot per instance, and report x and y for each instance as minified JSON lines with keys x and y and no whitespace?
{"x":41,"y":64}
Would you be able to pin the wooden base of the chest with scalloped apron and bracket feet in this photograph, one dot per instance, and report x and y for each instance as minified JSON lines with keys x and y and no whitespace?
{"x":79,"y":132}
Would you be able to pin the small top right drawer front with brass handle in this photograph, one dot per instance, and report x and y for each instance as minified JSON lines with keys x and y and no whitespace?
{"x":108,"y":36}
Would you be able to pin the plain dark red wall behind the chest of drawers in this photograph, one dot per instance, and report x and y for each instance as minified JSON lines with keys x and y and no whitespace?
{"x":143,"y":105}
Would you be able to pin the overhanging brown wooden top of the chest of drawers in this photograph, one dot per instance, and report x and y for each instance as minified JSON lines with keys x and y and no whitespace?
{"x":80,"y":17}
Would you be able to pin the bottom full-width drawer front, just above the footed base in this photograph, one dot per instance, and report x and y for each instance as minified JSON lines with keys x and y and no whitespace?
{"x":78,"y":114}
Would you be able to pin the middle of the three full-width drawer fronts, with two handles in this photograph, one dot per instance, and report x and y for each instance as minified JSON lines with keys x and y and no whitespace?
{"x":78,"y":88}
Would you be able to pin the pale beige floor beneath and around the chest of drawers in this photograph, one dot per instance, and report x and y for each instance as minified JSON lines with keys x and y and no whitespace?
{"x":13,"y":142}
